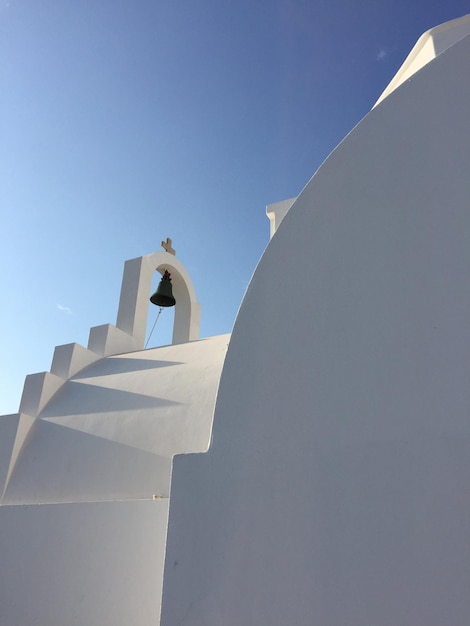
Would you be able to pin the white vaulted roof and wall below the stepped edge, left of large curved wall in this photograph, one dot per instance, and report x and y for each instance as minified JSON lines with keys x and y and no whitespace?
{"x":86,"y":483}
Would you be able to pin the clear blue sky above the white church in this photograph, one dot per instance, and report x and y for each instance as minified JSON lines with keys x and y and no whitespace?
{"x":123,"y":123}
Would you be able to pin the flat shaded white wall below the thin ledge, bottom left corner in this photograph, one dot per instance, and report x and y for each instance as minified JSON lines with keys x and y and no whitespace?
{"x":86,"y":564}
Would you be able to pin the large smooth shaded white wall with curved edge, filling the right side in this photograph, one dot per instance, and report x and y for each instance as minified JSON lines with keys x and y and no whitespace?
{"x":335,"y":491}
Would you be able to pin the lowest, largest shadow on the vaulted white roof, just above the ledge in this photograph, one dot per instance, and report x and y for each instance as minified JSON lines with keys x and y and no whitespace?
{"x":58,"y":464}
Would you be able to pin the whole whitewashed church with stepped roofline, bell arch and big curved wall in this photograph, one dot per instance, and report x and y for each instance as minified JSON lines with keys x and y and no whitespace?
{"x":309,"y":469}
